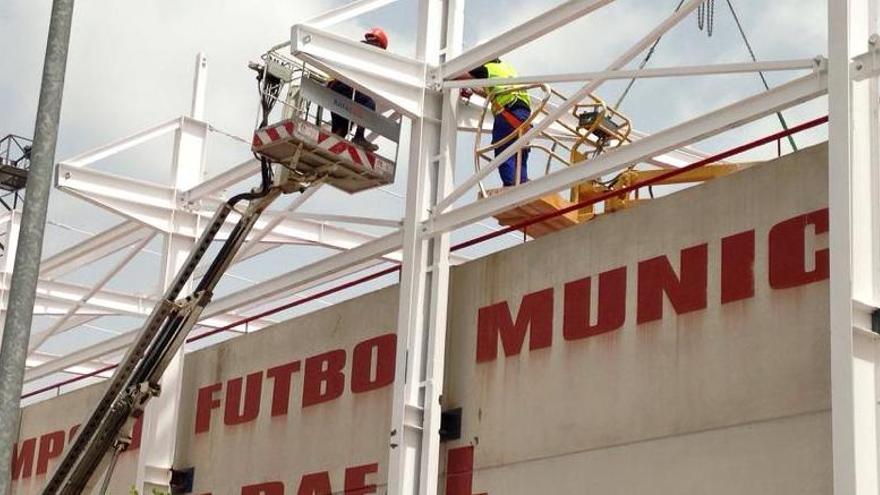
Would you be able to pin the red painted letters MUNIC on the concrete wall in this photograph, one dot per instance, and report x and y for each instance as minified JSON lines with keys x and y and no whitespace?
{"x":687,"y":291}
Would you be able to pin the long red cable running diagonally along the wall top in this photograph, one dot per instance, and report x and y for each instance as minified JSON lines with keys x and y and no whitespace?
{"x":462,"y":245}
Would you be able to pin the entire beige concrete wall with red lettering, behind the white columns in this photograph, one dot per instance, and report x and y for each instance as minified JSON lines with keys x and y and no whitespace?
{"x":694,"y":360}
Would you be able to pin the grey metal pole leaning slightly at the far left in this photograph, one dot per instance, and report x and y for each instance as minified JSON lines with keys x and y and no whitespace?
{"x":13,"y":351}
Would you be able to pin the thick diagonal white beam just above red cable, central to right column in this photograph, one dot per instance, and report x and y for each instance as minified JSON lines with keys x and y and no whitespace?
{"x":734,"y":115}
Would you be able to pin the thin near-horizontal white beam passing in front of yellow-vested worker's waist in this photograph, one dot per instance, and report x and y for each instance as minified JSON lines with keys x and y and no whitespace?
{"x":679,"y":71}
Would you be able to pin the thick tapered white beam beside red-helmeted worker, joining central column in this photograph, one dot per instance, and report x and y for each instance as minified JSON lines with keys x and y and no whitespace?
{"x":396,"y":80}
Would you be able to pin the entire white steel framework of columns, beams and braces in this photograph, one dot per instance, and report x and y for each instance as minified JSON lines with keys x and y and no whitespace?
{"x":424,"y":90}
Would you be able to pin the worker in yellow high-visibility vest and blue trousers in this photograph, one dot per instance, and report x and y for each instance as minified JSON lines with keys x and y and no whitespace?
{"x":511,"y":108}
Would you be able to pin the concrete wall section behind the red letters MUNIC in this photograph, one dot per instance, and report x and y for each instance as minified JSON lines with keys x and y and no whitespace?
{"x":730,"y":398}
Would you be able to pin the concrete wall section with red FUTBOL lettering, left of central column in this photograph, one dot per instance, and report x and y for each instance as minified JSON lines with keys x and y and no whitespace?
{"x":248,"y":439}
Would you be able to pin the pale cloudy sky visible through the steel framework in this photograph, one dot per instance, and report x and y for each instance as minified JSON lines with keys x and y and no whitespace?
{"x":131,"y":65}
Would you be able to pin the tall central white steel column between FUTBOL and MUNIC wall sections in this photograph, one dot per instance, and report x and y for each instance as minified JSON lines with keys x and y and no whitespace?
{"x":415,"y":423}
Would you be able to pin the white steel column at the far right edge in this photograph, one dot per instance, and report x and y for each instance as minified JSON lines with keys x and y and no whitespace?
{"x":853,"y":176}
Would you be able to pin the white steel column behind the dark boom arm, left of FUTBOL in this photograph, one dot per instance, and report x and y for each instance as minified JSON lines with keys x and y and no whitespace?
{"x":161,"y":417}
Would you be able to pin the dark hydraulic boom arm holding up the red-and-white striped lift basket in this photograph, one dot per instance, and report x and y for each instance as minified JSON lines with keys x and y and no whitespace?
{"x":108,"y":430}
